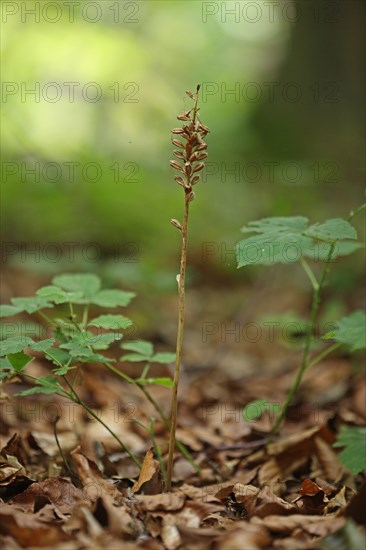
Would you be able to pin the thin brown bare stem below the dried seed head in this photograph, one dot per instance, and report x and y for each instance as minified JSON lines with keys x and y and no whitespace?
{"x":181,"y":292}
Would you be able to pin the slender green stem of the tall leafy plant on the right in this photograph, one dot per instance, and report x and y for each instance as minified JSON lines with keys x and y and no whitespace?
{"x":309,"y":334}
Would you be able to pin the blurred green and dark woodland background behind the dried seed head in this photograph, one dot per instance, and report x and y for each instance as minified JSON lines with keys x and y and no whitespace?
{"x":91,"y":90}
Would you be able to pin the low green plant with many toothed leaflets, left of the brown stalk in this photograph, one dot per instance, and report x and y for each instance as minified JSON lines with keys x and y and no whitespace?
{"x":77,"y":341}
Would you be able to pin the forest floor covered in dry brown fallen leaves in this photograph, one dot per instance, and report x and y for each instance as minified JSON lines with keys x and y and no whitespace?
{"x":251,"y":492}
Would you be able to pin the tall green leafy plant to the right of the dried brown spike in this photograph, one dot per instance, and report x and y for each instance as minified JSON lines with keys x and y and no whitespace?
{"x":321,"y":243}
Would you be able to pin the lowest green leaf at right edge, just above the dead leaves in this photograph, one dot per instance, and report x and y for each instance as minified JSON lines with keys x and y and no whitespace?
{"x":353,"y":455}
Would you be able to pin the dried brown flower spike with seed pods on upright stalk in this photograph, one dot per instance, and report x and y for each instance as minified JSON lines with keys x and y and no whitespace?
{"x":191,"y":154}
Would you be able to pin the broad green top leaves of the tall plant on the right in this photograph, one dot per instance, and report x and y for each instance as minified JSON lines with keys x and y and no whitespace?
{"x":286,"y":240}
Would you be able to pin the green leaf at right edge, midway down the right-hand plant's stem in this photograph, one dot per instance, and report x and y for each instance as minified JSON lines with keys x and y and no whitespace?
{"x":351,"y":331}
